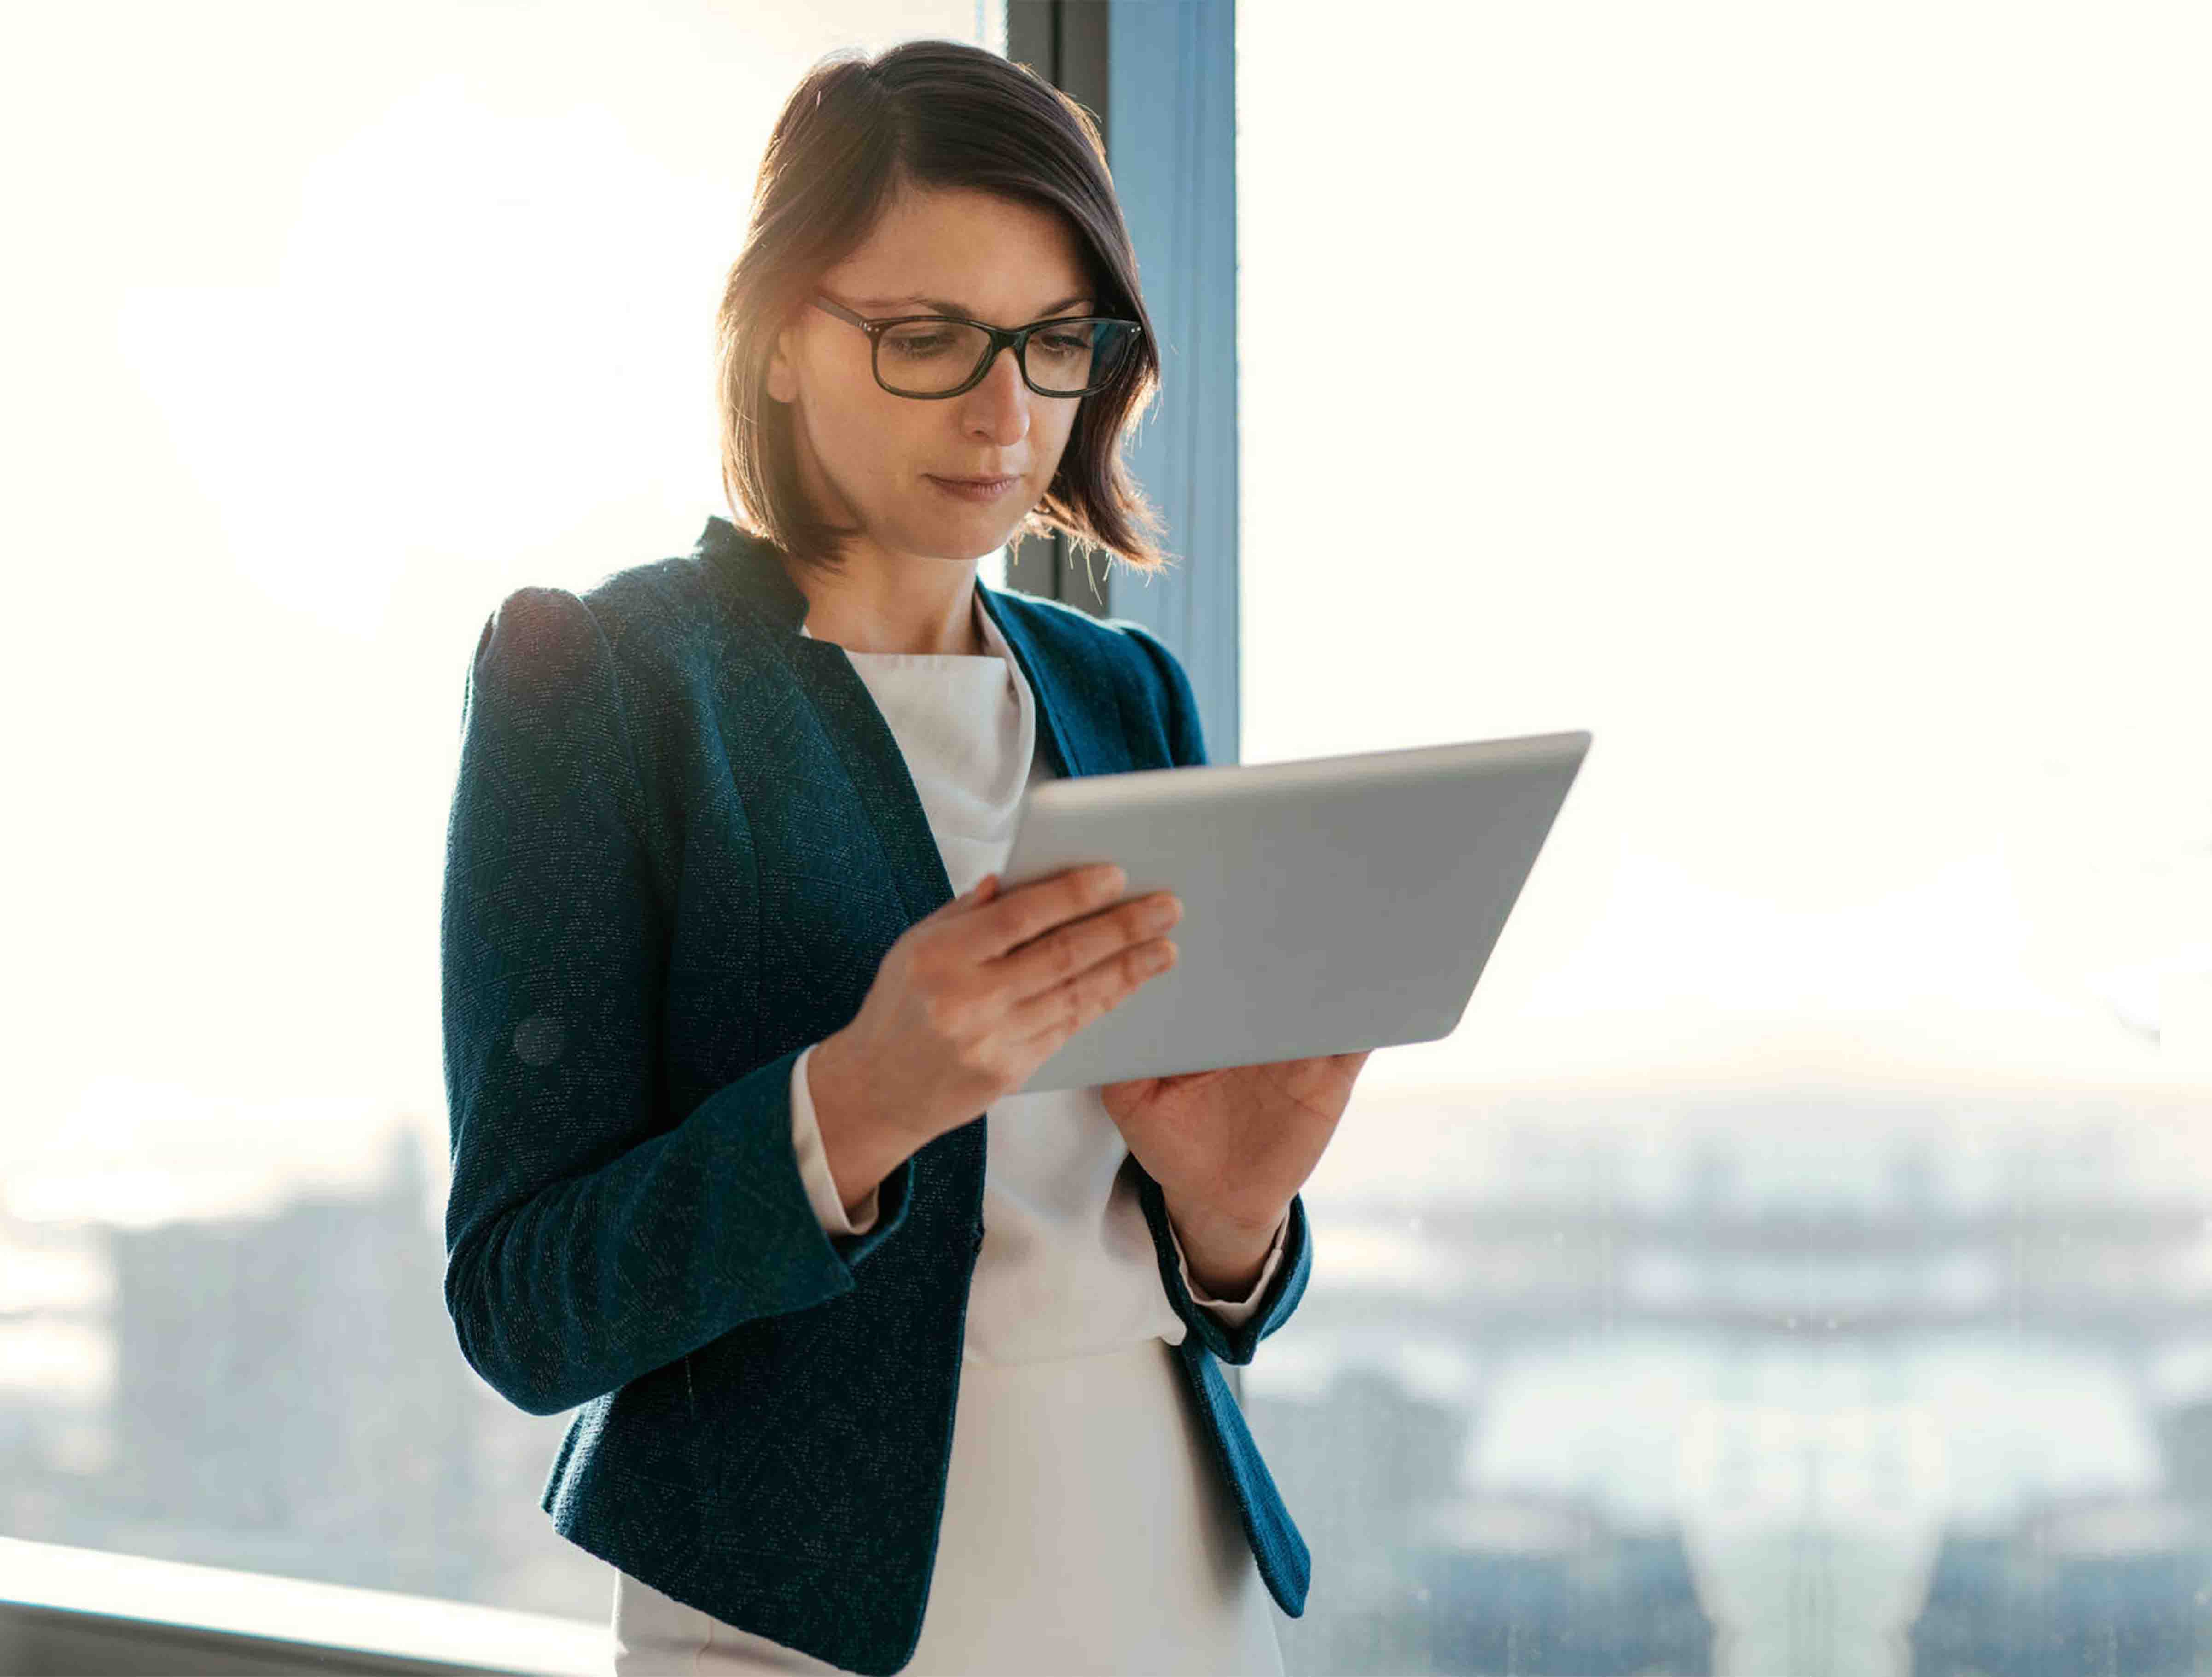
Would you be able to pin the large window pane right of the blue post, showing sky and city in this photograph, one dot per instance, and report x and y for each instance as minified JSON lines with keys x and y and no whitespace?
{"x":1797,"y":1260}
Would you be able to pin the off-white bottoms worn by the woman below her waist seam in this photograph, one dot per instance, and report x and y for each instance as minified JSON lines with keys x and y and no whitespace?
{"x":1085,"y":1530}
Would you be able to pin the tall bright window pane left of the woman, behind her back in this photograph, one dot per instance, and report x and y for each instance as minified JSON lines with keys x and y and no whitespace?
{"x":324,"y":331}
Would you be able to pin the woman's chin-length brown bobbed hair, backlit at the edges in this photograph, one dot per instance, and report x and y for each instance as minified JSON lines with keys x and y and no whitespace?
{"x":857,"y":134}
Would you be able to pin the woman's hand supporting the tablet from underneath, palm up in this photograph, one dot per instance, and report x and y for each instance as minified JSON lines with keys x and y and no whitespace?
{"x":1233,"y":1147}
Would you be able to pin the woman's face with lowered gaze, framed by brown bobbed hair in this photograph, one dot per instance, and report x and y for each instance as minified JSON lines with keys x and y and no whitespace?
{"x":870,"y":457}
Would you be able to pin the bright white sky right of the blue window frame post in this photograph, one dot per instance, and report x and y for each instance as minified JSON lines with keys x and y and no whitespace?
{"x":1808,"y":402}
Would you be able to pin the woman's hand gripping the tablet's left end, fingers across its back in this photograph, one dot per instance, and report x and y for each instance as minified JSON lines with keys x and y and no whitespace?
{"x":983,"y":992}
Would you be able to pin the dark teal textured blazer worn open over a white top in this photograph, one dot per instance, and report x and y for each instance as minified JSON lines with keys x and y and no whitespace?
{"x":680,"y":844}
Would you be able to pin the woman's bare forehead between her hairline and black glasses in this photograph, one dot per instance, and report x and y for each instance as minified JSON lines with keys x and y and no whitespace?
{"x":990,"y":253}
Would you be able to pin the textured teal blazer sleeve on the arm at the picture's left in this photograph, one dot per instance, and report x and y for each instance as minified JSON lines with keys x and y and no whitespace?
{"x":592,"y":1233}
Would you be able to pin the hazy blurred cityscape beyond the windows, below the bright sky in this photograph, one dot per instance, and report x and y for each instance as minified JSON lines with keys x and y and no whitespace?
{"x":1680,"y":1382}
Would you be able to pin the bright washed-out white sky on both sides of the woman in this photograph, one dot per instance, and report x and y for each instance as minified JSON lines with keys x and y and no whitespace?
{"x":1806,"y":402}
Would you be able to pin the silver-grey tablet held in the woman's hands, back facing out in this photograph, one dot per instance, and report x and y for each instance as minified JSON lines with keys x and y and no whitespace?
{"x":1331,"y":904}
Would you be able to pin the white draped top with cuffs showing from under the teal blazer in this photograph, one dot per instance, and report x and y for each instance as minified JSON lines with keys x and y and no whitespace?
{"x":1067,"y":1260}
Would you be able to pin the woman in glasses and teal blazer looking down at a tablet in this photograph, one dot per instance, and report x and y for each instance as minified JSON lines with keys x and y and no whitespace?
{"x":879,"y":1366}
